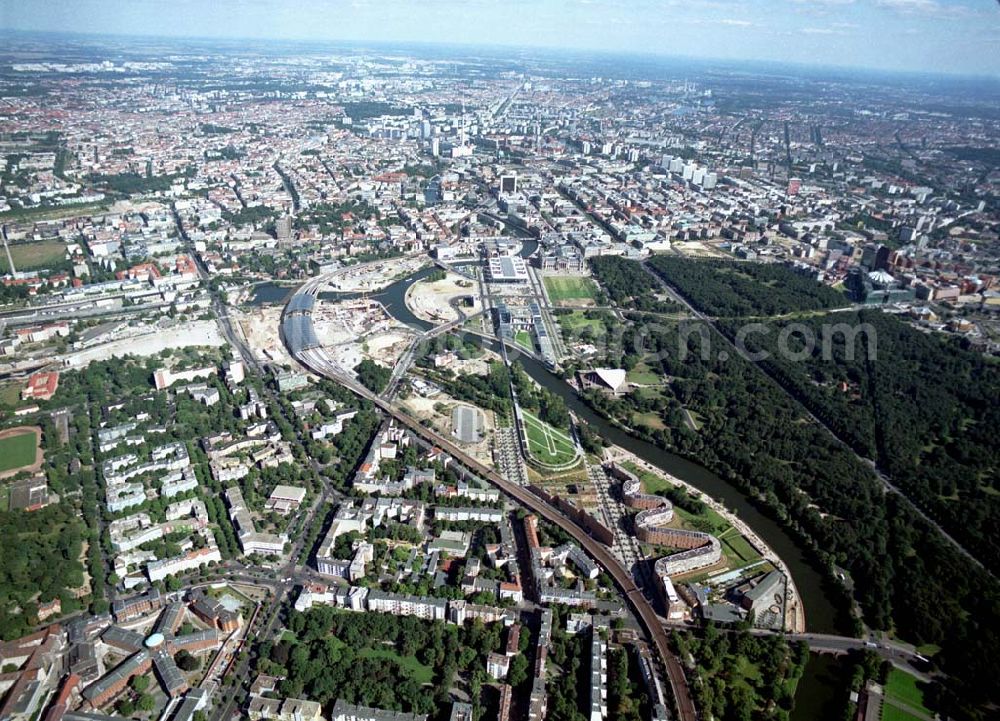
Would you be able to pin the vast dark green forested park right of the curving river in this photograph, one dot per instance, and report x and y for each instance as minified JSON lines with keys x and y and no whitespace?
{"x":906,"y":577}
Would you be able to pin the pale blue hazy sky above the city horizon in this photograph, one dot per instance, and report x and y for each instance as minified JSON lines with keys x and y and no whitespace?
{"x":944,"y":35}
